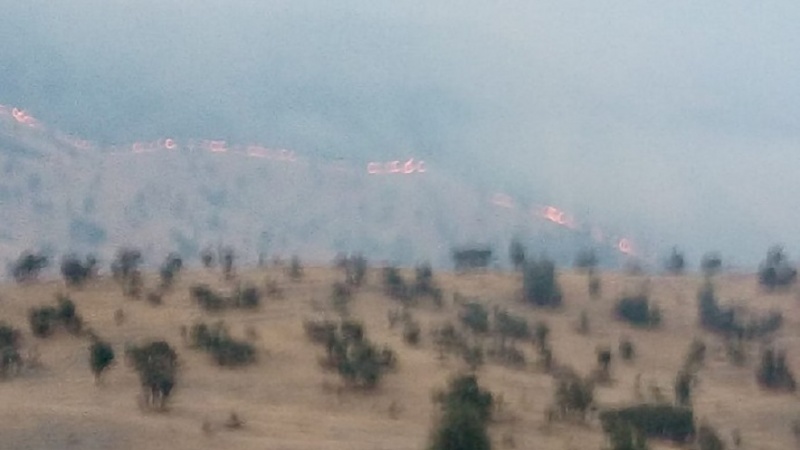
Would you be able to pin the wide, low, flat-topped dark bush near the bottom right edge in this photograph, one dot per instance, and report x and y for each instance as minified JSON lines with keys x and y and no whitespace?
{"x":662,"y":421}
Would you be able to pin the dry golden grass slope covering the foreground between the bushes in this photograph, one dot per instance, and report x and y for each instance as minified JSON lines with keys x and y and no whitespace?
{"x":287,"y":401}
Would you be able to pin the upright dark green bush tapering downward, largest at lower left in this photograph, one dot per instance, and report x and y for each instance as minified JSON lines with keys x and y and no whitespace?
{"x":156,"y":363}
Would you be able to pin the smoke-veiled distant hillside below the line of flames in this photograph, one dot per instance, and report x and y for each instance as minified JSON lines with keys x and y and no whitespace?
{"x":62,"y":194}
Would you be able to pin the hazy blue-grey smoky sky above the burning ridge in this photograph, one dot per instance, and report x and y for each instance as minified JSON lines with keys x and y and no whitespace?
{"x":678,"y":120}
